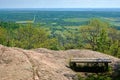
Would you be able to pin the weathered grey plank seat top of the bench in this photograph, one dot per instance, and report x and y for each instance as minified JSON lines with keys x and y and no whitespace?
{"x":91,"y":60}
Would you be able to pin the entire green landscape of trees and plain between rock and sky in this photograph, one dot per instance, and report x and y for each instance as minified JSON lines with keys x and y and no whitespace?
{"x":62,"y":30}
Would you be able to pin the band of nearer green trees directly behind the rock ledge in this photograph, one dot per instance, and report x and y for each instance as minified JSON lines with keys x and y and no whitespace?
{"x":96,"y":35}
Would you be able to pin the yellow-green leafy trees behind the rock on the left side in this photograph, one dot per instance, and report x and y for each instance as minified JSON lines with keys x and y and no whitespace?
{"x":27,"y":37}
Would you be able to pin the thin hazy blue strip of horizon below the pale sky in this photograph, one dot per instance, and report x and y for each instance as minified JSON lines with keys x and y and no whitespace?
{"x":62,"y":9}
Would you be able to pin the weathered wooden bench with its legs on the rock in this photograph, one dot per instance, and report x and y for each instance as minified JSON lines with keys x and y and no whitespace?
{"x":95,"y":62}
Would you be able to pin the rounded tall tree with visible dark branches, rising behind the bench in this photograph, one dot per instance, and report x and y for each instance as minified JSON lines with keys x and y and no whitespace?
{"x":95,"y":34}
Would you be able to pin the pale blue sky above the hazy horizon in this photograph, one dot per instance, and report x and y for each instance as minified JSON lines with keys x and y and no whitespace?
{"x":59,"y":3}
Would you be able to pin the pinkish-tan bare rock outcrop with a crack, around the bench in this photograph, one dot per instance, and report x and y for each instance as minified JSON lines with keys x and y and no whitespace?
{"x":40,"y":64}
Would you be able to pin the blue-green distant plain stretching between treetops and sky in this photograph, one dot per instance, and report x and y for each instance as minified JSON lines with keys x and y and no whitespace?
{"x":61,"y":16}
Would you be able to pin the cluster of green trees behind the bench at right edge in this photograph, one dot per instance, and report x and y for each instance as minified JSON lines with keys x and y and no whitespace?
{"x":99,"y":36}
